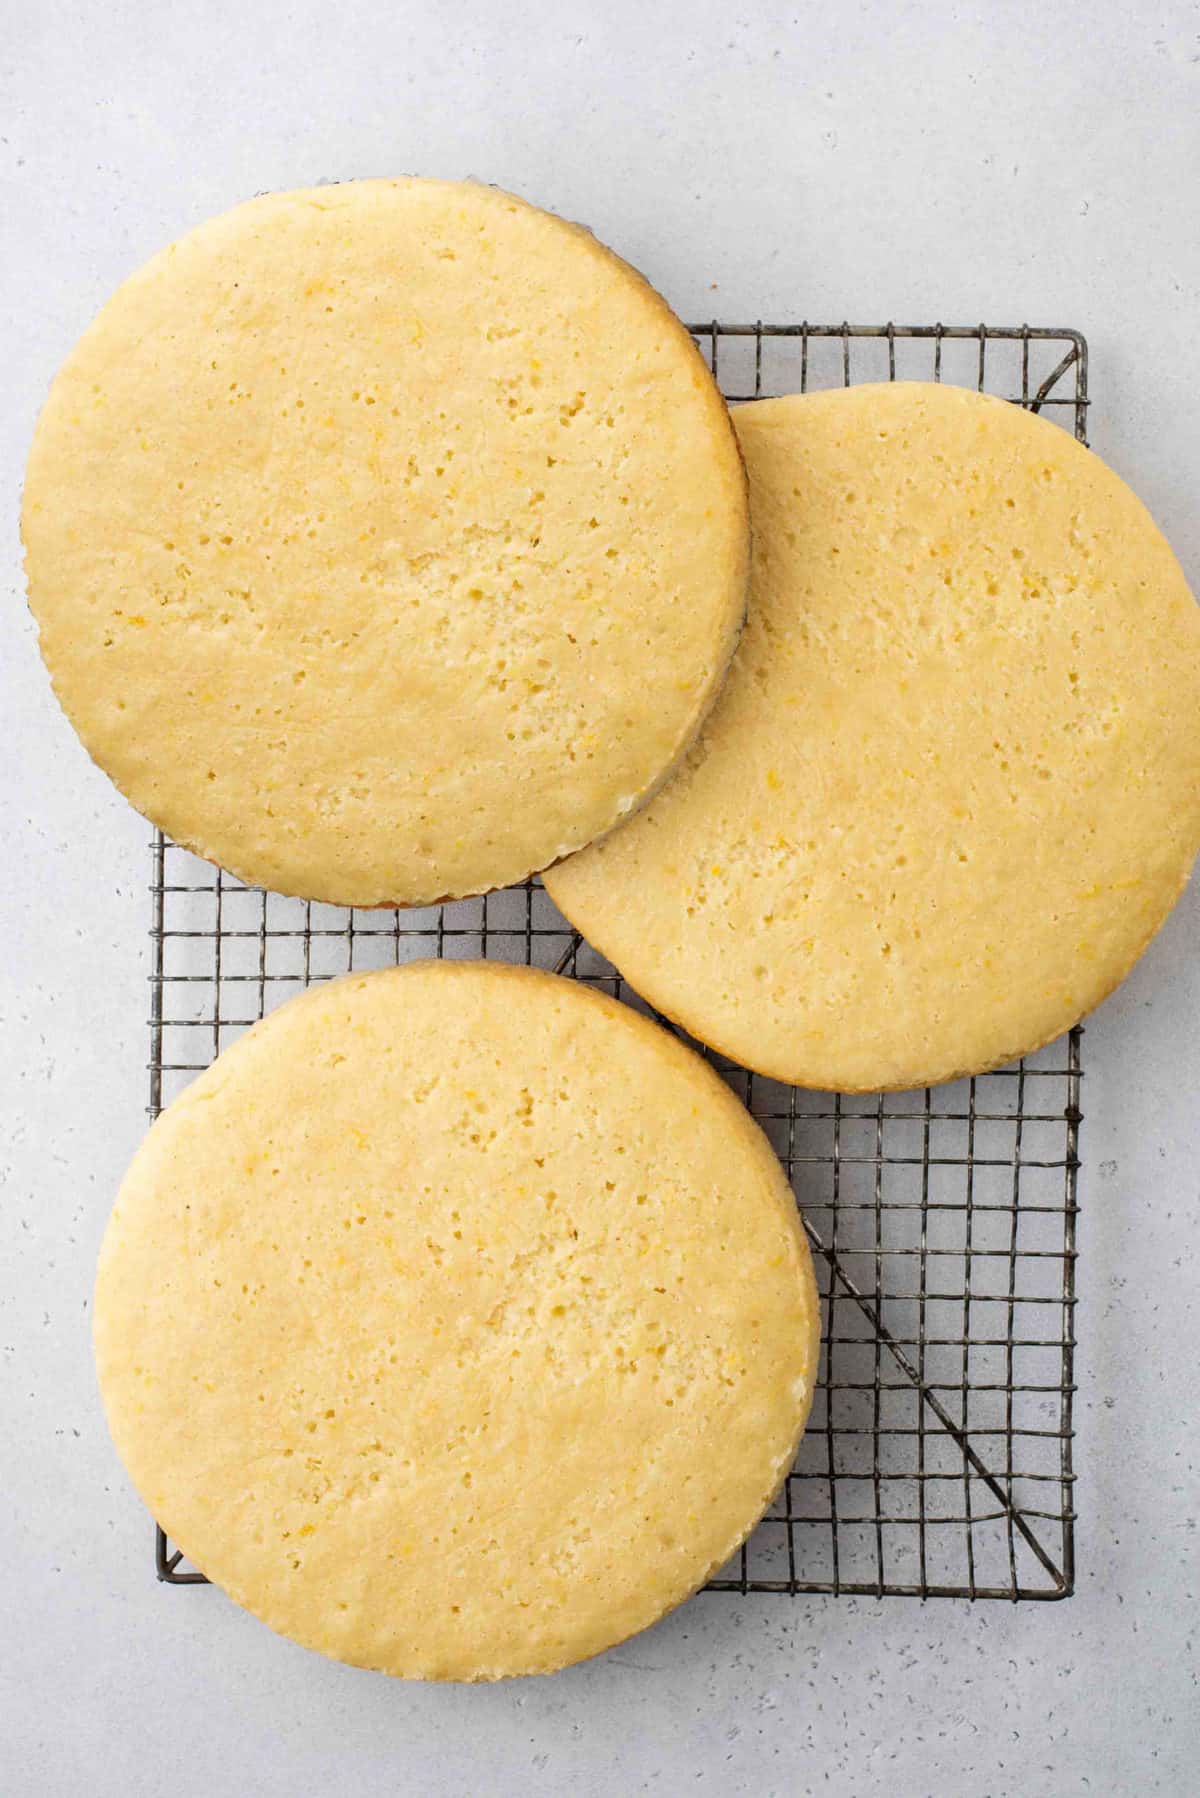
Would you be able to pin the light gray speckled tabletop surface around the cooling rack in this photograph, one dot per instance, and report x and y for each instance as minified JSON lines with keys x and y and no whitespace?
{"x":967,"y":163}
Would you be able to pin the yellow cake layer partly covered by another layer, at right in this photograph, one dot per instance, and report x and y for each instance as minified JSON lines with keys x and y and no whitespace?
{"x":953,"y":785}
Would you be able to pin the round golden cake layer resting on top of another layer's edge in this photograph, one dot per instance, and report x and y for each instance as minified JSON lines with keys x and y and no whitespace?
{"x":388,"y":540}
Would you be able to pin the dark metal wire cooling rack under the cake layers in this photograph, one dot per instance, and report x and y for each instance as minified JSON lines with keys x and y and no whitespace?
{"x":944,"y":1222}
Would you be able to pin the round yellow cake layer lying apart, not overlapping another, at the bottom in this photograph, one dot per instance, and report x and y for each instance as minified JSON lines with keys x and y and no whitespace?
{"x":458,"y":1321}
